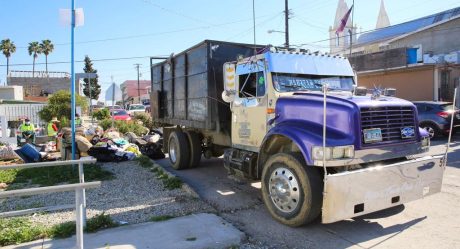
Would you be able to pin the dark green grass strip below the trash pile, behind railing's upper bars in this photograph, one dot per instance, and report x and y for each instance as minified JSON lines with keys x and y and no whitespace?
{"x":49,"y":176}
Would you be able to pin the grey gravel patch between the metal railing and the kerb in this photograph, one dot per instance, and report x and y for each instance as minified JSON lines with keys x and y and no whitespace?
{"x":134,"y":196}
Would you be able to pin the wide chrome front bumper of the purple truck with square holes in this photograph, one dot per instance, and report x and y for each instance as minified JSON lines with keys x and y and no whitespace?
{"x":364,"y":191}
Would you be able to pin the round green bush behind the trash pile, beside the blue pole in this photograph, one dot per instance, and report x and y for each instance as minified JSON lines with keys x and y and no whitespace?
{"x":59,"y":106}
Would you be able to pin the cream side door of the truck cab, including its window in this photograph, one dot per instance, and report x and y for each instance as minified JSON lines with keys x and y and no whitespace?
{"x":249,"y":110}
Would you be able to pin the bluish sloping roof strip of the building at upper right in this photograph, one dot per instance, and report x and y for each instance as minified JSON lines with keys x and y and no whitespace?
{"x":407,"y":27}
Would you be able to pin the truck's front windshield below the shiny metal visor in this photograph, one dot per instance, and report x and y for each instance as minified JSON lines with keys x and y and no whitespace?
{"x":284,"y":82}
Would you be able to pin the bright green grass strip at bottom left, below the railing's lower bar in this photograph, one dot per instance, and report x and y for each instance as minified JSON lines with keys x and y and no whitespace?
{"x":20,"y":230}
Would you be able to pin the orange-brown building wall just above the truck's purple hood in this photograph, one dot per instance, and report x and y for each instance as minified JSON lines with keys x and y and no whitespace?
{"x":410,"y":84}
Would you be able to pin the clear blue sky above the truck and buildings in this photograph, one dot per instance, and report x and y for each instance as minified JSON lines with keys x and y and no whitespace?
{"x":138,"y":29}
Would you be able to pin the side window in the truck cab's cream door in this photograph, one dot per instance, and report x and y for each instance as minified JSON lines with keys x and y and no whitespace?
{"x":251,"y":85}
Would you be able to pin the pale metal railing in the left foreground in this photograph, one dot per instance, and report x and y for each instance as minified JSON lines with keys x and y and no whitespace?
{"x":79,"y":188}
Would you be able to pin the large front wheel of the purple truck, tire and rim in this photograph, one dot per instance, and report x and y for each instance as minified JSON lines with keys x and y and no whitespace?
{"x":292,"y":191}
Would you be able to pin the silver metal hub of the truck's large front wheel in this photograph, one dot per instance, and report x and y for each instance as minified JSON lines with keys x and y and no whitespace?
{"x":284,"y":190}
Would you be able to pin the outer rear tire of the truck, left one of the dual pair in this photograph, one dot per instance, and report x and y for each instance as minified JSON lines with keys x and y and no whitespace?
{"x":179,"y":150}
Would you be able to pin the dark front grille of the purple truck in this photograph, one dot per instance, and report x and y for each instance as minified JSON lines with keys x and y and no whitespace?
{"x":390,"y":119}
